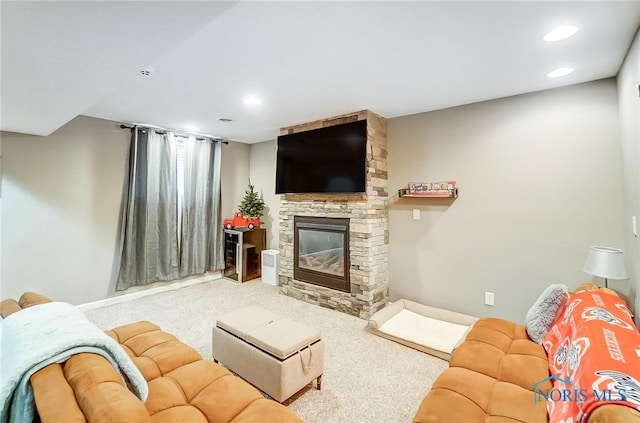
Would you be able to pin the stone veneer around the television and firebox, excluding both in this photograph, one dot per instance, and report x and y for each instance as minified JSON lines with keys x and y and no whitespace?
{"x":368,"y":232}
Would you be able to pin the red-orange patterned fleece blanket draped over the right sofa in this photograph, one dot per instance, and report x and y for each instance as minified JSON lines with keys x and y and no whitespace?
{"x":594,"y":357}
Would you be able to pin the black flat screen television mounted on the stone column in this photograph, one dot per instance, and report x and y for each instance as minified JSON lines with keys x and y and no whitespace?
{"x":324,"y":160}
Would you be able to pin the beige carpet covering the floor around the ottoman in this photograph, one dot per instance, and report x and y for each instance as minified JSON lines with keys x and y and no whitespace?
{"x":366,"y":378}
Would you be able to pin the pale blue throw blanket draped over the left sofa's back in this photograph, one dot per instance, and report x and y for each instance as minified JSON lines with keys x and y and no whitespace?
{"x":37,"y":336}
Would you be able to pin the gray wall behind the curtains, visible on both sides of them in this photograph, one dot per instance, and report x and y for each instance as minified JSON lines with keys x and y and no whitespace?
{"x":62,"y":202}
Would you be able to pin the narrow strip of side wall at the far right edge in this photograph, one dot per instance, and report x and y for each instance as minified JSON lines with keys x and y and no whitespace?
{"x":629,"y":106}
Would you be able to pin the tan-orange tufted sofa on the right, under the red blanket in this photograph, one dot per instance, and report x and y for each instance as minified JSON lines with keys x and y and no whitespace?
{"x":492,"y":376}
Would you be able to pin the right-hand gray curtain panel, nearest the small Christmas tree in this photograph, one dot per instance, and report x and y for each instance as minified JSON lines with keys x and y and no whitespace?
{"x":201,"y":229}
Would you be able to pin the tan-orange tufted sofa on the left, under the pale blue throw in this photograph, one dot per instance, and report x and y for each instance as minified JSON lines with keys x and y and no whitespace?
{"x":182,"y":387}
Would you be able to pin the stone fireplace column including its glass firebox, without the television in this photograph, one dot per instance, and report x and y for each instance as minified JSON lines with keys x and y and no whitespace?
{"x":355,"y":282}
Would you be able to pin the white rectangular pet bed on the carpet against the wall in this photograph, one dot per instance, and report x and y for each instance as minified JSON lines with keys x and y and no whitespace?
{"x":428,"y":329}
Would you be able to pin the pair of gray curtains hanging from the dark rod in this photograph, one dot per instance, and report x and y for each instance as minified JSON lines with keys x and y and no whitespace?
{"x":161,"y":240}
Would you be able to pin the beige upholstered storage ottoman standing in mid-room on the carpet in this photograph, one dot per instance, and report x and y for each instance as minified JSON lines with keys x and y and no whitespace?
{"x":276,"y":354}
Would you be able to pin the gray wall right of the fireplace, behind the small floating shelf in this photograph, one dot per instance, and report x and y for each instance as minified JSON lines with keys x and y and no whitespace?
{"x":540,"y":182}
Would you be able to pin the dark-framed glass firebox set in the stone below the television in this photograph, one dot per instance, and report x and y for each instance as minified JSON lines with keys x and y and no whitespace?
{"x":321,"y":251}
